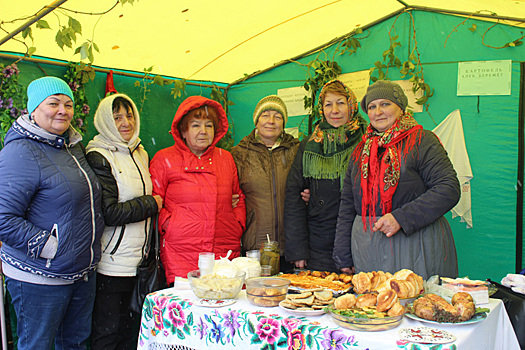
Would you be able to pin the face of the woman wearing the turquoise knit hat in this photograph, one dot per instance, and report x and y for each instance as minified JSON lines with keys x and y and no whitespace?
{"x":54,"y":114}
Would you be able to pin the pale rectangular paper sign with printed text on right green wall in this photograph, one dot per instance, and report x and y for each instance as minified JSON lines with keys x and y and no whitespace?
{"x":484,"y":78}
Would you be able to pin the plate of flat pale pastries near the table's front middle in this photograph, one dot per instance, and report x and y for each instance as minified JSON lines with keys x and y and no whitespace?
{"x":308,"y":303}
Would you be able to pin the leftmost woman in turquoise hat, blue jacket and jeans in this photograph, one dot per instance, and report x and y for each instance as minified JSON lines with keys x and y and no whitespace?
{"x":50,"y":222}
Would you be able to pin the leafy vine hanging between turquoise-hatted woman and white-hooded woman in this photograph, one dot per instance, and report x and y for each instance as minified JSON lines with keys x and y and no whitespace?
{"x":77,"y":75}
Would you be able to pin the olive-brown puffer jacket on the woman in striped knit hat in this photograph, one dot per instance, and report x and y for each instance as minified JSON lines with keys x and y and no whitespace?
{"x":262,"y":176}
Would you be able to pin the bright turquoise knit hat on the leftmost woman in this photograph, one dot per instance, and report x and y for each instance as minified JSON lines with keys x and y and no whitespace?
{"x":42,"y":88}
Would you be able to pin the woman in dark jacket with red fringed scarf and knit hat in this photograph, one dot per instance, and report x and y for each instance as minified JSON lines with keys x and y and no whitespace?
{"x":399,"y":184}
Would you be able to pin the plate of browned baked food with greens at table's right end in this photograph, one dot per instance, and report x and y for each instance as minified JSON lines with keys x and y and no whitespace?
{"x":432,"y":308}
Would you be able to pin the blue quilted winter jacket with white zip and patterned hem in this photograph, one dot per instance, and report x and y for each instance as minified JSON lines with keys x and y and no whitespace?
{"x":48,"y":188}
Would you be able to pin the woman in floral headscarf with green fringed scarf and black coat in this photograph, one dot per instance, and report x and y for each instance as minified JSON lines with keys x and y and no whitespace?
{"x":320,"y":166}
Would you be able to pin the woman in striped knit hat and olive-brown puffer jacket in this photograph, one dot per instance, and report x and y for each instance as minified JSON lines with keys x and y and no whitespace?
{"x":263,"y":159}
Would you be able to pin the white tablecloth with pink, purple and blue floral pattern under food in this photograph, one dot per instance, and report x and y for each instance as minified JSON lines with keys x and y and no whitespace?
{"x":171,"y":320}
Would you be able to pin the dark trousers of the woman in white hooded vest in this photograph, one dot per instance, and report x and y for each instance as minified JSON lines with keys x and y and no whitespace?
{"x":114,"y":325}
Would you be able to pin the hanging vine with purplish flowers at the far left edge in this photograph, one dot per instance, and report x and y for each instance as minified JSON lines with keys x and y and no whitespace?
{"x":13,"y":99}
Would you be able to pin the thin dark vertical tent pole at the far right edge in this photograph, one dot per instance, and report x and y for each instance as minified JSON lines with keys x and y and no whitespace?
{"x":521,"y":160}
